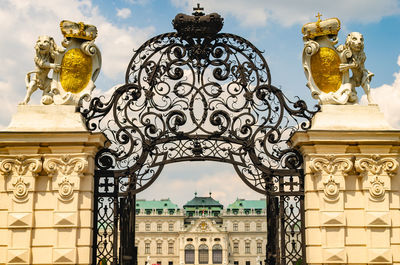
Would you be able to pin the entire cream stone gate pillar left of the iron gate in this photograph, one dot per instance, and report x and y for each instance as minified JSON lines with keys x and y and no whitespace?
{"x":46,"y":187}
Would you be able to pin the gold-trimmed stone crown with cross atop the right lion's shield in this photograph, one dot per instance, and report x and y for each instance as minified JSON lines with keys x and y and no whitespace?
{"x":330,"y":26}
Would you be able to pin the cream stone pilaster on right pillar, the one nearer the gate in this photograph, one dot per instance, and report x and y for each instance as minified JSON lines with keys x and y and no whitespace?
{"x":329,"y":174}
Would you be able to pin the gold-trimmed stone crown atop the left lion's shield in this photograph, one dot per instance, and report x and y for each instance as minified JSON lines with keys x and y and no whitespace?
{"x":78,"y":30}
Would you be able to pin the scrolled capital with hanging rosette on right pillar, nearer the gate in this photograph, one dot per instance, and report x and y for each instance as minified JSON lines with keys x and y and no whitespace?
{"x":330,"y":167}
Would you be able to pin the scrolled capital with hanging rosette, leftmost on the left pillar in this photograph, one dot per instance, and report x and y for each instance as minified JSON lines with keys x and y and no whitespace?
{"x":21,"y":169}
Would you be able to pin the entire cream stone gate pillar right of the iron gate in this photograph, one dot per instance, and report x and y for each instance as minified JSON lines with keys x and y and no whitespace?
{"x":352,"y":186}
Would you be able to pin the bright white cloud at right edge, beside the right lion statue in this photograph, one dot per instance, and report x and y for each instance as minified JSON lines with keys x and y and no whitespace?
{"x":388,"y":99}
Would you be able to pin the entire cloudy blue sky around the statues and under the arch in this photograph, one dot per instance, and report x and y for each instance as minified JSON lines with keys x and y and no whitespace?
{"x":273,"y":26}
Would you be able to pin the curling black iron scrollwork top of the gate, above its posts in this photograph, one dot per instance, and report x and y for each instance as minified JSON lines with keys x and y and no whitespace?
{"x":190,"y":98}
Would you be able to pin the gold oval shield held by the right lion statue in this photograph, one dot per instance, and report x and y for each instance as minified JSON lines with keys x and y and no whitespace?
{"x":325,"y":70}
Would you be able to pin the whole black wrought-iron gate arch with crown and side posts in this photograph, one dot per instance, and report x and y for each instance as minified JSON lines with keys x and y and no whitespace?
{"x":196,"y":95}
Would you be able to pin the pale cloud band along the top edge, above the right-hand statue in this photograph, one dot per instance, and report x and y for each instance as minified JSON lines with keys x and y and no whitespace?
{"x":290,"y":12}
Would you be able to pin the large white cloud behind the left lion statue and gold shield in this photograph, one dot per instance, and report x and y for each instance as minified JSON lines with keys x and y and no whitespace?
{"x":23,"y":21}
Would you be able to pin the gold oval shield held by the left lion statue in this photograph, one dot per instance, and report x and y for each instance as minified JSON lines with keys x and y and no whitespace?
{"x":76,"y":70}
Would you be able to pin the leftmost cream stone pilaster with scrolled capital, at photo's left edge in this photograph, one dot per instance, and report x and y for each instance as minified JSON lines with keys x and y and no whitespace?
{"x":17,"y":198}
